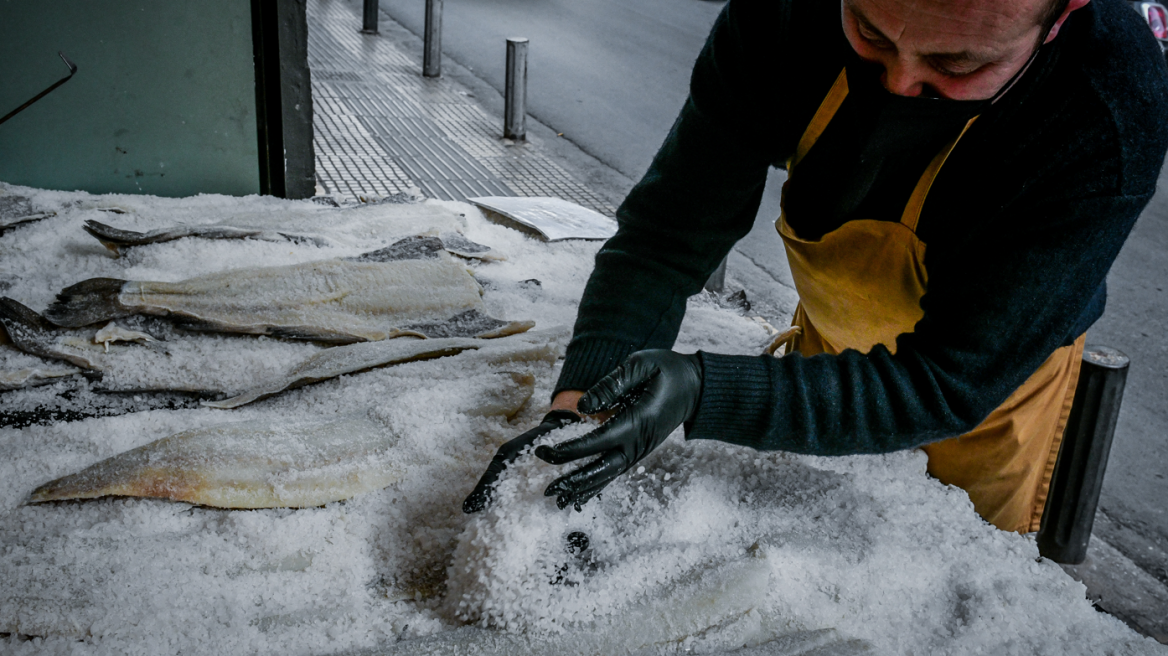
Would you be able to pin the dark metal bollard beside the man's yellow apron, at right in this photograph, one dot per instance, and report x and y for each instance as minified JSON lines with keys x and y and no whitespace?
{"x":1075,"y":486}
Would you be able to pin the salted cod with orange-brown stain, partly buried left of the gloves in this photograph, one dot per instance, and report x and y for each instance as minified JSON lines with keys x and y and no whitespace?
{"x":266,"y":465}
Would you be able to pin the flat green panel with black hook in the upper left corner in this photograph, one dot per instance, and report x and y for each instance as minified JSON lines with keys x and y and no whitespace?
{"x":164,"y":101}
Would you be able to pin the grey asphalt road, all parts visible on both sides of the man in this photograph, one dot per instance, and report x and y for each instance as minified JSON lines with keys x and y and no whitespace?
{"x":611,"y":75}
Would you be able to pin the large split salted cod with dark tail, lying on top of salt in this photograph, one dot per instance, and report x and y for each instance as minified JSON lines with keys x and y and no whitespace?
{"x":337,"y":302}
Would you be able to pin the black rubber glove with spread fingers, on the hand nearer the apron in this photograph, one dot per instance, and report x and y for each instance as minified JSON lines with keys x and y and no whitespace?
{"x":655,"y":392}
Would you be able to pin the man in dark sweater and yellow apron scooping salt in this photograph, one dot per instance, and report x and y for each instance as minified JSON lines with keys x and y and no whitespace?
{"x":962,"y":175}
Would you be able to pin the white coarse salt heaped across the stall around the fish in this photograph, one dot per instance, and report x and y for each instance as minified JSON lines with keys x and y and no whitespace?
{"x":704,"y":548}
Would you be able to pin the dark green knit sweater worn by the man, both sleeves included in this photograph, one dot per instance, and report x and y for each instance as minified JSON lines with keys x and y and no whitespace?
{"x":1021,"y":227}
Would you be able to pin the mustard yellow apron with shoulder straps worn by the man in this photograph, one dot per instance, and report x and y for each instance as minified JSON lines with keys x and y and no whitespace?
{"x":861,"y":285}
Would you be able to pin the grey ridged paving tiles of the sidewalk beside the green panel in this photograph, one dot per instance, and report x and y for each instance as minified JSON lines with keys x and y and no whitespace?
{"x":383,"y":129}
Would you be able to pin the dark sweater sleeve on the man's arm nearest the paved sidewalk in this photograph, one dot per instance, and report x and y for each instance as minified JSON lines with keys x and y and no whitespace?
{"x":699,"y":197}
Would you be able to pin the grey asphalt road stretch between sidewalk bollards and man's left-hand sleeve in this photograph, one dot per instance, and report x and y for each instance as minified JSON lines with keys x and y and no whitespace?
{"x":611,"y":75}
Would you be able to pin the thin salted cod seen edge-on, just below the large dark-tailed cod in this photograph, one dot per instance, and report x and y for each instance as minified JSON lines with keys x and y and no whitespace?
{"x":353,"y":359}
